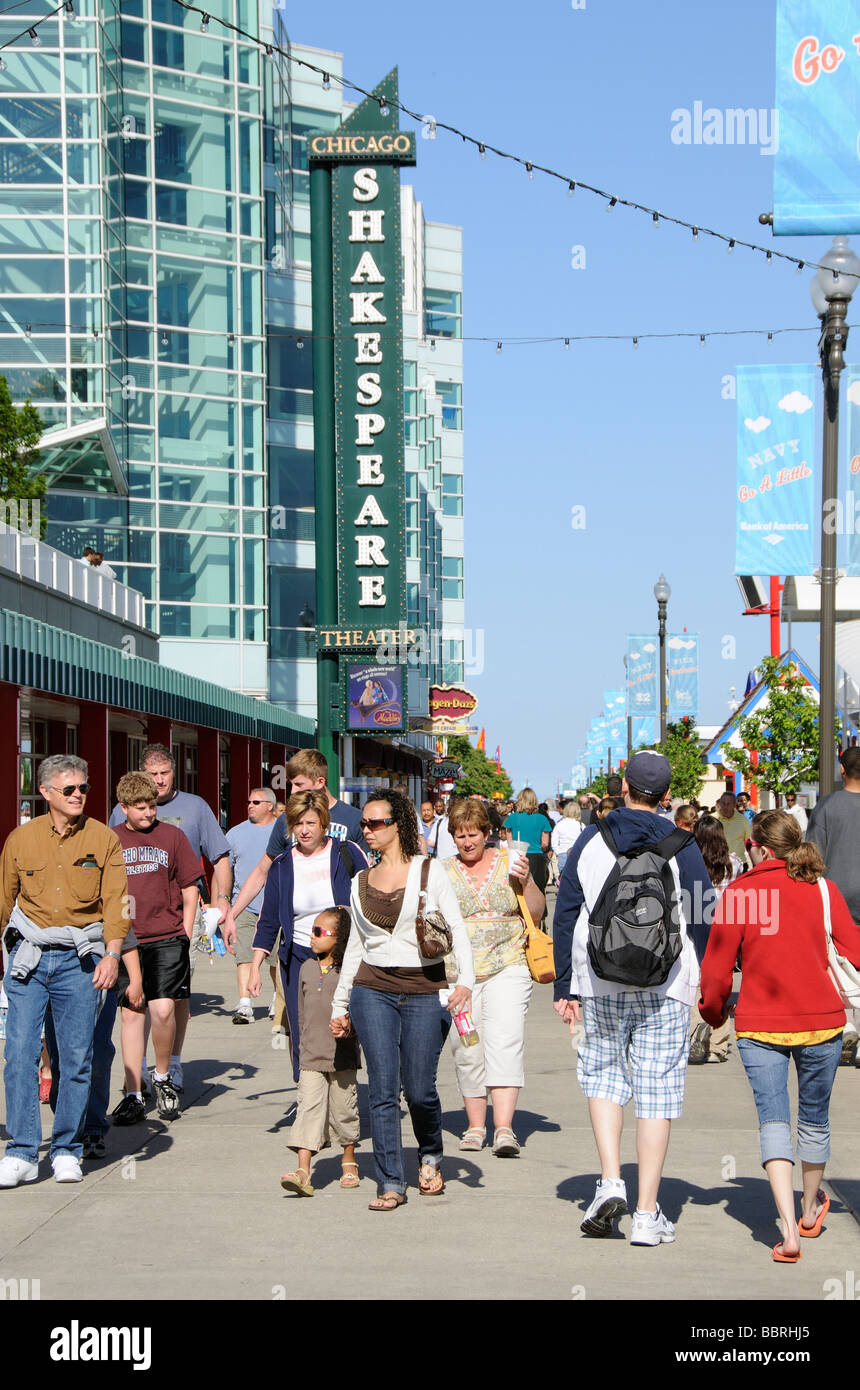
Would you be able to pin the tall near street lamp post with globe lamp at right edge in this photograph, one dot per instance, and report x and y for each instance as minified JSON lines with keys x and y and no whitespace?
{"x":832,"y":291}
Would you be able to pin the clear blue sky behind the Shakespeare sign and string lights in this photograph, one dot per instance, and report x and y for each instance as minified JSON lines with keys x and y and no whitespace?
{"x":644,"y":440}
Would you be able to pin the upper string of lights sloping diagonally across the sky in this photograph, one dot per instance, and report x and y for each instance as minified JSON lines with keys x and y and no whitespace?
{"x":486,"y":147}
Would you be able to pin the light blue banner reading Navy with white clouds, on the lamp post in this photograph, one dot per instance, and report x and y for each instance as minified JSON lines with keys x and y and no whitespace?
{"x":776,"y":493}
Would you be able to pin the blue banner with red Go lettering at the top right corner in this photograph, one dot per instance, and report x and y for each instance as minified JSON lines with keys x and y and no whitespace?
{"x":819,"y":119}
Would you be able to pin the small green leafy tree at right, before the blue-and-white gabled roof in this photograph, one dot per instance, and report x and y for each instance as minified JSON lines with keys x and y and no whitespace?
{"x":783,"y":733}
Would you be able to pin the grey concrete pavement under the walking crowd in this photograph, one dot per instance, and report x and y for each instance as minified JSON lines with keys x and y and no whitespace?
{"x":197,"y":1210}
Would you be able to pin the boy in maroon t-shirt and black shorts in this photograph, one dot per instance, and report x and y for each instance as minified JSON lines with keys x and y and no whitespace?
{"x":163,"y":886}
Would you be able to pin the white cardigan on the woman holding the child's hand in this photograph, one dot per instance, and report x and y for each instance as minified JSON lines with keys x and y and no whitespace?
{"x":401,"y":946}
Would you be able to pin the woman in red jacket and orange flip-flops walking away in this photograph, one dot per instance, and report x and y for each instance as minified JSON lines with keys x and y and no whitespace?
{"x":788,"y":1006}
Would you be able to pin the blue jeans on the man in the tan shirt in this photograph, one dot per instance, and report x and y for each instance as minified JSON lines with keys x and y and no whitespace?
{"x":66,"y":982}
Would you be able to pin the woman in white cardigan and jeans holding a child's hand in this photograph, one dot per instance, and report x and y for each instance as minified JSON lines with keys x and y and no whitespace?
{"x":391,"y":993}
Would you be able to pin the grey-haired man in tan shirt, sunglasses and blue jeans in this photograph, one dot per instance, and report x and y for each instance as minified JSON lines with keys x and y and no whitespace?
{"x":65,"y":913}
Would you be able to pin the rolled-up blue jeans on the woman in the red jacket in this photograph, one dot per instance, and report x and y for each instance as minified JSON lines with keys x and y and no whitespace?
{"x":766,"y":1065}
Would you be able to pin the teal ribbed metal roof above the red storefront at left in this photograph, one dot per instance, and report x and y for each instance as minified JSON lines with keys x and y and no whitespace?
{"x":62,"y":664}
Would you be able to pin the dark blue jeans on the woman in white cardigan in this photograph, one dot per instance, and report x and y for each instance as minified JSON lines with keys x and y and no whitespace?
{"x":402,"y":1038}
